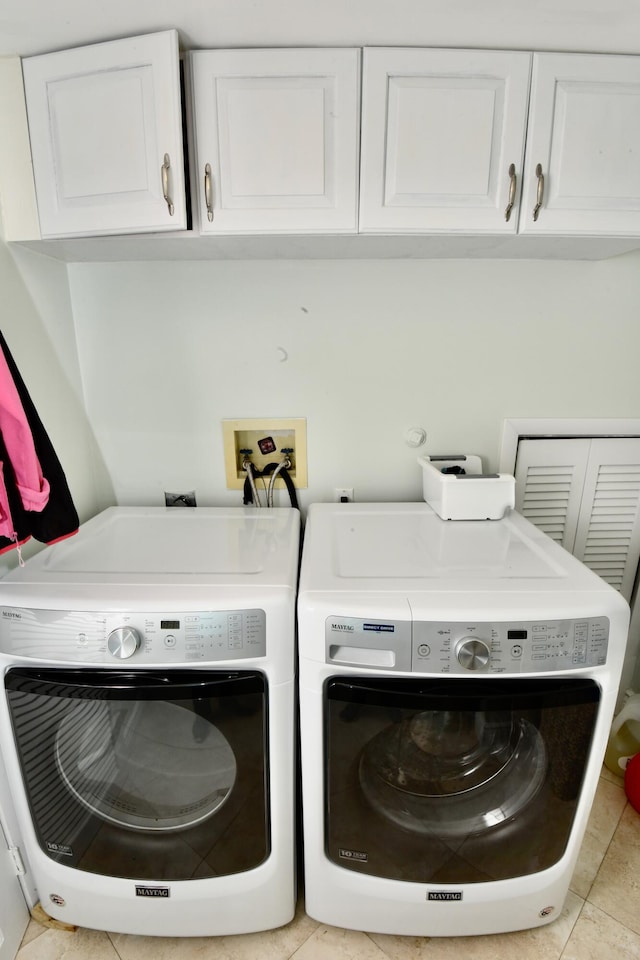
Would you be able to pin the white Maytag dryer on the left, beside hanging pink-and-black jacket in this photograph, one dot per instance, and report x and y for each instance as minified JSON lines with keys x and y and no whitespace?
{"x":147,"y":719}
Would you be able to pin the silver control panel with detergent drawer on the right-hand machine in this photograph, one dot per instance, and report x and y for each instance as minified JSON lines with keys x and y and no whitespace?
{"x":468,"y":647}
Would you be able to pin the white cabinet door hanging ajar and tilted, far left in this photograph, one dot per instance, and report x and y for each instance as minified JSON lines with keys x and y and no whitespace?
{"x":105,"y":123}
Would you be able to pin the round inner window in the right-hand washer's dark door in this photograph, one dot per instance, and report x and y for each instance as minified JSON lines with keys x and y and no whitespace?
{"x":453,"y":771}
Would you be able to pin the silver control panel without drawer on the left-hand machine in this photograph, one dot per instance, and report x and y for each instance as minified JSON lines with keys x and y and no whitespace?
{"x":143,"y":638}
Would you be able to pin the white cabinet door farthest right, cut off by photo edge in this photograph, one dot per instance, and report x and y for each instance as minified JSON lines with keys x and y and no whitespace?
{"x":584,"y":133}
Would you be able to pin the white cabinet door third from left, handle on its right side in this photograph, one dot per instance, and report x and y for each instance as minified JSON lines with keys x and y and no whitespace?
{"x":440,"y":132}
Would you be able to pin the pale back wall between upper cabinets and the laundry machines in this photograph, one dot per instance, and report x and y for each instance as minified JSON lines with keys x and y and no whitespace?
{"x":167,"y":350}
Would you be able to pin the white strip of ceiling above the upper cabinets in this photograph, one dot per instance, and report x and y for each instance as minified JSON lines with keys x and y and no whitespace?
{"x":33,"y":26}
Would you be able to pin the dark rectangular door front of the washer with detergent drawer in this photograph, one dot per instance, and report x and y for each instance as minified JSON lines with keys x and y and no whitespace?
{"x":454,"y":781}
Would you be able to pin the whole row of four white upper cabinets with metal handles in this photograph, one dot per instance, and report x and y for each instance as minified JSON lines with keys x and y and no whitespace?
{"x":466,"y":143}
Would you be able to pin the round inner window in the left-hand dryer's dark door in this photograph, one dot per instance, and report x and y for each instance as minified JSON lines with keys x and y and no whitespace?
{"x":146,"y":765}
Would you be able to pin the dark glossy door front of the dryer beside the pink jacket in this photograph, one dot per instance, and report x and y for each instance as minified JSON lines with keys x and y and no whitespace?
{"x":143,"y":774}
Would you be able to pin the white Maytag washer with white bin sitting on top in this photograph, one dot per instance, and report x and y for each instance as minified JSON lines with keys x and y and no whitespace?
{"x":457,"y":685}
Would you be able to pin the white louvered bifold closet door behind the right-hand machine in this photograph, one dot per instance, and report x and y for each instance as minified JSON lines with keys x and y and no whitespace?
{"x":585,"y":493}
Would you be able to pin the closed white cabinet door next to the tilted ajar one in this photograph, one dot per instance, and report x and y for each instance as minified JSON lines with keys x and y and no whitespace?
{"x":276,"y":135}
